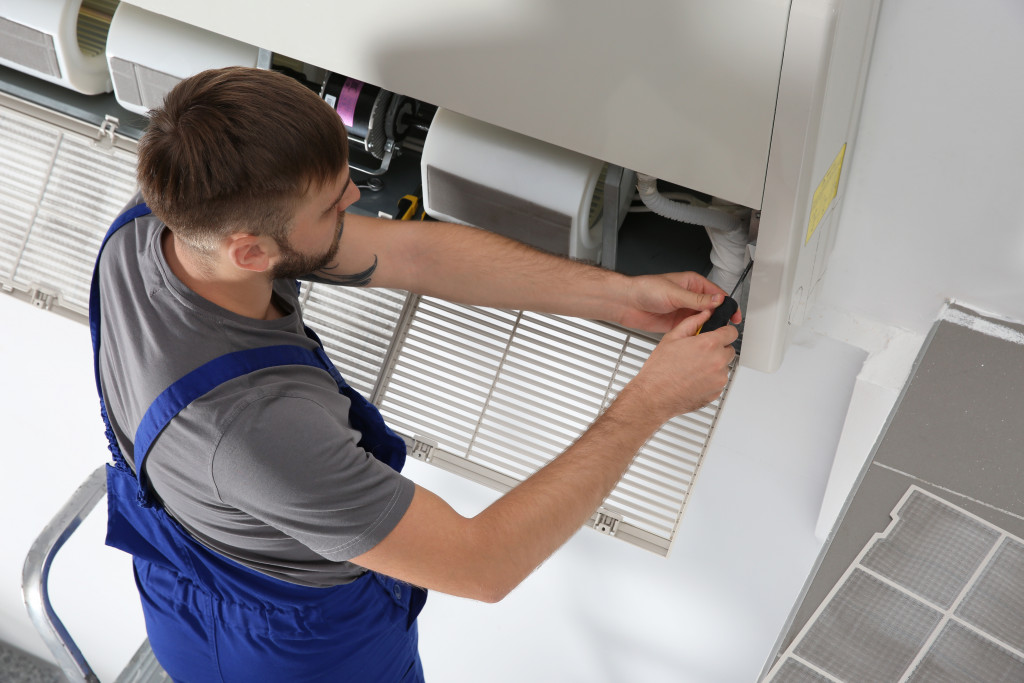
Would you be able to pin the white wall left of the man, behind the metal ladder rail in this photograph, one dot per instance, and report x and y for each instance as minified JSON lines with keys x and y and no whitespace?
{"x":54,"y":439}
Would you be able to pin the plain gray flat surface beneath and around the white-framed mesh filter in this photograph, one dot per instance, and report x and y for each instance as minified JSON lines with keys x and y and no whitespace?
{"x":963,"y":378}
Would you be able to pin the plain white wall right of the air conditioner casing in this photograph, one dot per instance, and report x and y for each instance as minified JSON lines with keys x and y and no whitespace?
{"x":933,"y":206}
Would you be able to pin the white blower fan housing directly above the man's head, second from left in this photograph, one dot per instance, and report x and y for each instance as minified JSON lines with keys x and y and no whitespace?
{"x":149,"y":54}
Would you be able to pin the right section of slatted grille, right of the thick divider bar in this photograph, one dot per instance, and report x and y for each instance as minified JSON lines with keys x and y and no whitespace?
{"x":499,"y":395}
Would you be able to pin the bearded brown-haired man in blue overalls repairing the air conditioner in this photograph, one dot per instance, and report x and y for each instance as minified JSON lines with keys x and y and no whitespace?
{"x":274,"y":537}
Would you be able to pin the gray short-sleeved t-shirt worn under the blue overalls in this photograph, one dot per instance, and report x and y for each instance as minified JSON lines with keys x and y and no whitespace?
{"x":265,"y":469}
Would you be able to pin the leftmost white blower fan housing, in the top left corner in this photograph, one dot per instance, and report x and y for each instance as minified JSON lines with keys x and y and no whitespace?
{"x":61,"y":41}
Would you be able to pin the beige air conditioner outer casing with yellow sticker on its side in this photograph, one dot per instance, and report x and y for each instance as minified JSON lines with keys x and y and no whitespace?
{"x":753,"y":104}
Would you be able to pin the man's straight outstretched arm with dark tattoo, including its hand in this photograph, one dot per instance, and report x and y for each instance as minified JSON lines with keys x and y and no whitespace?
{"x":474,"y":267}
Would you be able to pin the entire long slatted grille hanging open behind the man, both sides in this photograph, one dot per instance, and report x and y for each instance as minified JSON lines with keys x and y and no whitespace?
{"x":490,"y":395}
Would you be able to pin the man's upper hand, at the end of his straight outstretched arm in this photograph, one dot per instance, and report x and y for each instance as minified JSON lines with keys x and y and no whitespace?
{"x":661,"y":304}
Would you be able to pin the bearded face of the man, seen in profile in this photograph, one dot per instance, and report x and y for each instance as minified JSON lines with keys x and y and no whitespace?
{"x":313,"y":242}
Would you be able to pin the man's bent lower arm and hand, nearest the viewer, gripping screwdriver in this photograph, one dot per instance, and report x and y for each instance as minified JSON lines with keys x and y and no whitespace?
{"x":487,"y":557}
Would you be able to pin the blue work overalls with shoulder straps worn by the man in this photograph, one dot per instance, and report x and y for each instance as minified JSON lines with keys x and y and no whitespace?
{"x":210,"y":619}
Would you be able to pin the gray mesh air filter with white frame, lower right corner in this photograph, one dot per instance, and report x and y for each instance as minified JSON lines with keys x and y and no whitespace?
{"x":873,"y":626}
